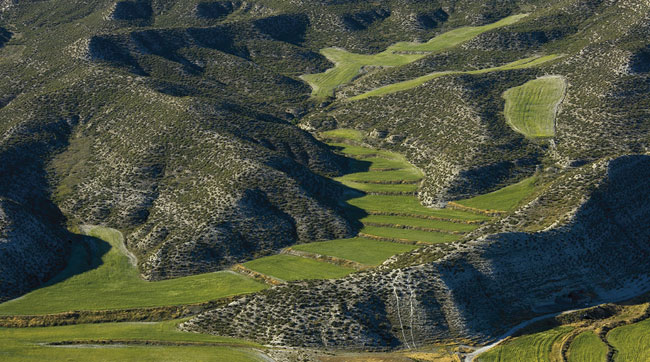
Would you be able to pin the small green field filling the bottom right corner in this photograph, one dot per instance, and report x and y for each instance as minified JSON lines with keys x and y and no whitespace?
{"x":632,"y":342}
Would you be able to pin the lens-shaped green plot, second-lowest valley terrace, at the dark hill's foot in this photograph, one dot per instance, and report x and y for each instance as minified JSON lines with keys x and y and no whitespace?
{"x":364,"y":251}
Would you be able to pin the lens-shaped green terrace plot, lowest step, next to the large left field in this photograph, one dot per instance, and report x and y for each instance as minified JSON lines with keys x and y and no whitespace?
{"x":289,"y":267}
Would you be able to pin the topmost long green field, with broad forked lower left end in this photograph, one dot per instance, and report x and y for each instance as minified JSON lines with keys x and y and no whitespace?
{"x":348,"y":65}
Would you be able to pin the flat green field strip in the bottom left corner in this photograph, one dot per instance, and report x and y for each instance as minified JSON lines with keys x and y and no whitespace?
{"x":22,"y":344}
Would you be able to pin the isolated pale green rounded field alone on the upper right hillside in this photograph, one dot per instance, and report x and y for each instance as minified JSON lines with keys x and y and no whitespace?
{"x":531,"y":108}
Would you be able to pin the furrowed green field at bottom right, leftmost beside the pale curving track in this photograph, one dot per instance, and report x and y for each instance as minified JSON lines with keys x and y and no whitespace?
{"x":530,"y":347}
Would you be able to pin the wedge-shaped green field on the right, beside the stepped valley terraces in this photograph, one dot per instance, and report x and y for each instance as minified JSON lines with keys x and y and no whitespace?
{"x":505,"y":199}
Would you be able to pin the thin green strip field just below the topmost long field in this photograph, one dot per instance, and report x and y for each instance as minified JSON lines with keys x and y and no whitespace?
{"x":416,"y":82}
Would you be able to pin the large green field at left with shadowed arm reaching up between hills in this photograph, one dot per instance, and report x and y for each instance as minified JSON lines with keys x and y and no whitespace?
{"x":110,"y":281}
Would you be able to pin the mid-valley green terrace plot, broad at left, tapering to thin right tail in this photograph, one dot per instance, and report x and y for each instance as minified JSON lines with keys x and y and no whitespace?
{"x":410,"y":205}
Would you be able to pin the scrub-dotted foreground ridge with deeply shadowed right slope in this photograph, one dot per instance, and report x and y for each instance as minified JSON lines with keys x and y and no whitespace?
{"x":493,"y":283}
